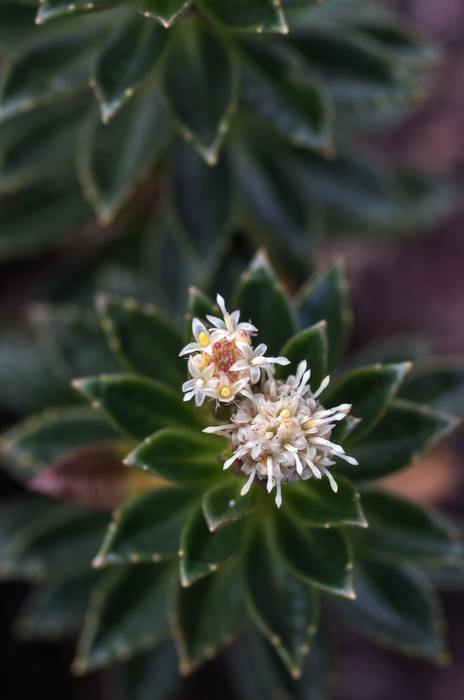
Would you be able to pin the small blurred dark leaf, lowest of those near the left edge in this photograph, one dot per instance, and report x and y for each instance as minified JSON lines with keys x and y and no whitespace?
{"x":52,"y":613}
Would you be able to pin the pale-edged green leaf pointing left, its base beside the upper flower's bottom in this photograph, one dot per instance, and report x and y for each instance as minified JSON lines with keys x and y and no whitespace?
{"x":136,"y":406}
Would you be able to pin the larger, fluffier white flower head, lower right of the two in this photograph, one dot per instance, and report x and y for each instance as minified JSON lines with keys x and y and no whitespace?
{"x":282,"y":433}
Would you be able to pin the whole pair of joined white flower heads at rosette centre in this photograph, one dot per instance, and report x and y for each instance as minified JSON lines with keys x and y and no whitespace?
{"x":278,"y":430}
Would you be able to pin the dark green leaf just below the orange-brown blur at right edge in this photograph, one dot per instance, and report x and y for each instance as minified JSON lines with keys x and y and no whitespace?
{"x":401,"y":529}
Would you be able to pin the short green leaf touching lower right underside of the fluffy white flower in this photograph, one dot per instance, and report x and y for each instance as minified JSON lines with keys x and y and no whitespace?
{"x":317,"y":505}
